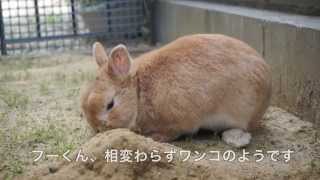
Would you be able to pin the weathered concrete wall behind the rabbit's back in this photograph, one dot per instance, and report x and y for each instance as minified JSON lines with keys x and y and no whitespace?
{"x":289,"y":43}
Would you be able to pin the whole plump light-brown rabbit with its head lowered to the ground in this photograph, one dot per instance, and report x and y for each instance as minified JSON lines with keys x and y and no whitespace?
{"x":196,"y":82}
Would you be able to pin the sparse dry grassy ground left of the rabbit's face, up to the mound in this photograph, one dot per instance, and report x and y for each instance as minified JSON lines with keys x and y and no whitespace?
{"x":39,"y":108}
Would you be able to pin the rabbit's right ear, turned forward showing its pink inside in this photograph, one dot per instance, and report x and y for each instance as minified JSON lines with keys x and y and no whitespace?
{"x":120,"y":61}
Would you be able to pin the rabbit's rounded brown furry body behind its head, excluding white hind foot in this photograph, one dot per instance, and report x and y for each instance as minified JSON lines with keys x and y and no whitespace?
{"x":202,"y":81}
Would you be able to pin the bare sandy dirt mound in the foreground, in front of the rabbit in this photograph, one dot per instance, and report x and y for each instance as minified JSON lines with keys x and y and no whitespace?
{"x":109,"y":153}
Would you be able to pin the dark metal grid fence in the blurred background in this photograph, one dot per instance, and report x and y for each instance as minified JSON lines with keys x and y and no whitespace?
{"x":28,"y":25}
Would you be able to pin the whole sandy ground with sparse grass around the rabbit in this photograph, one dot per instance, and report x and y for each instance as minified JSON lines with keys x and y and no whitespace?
{"x":40,"y":111}
